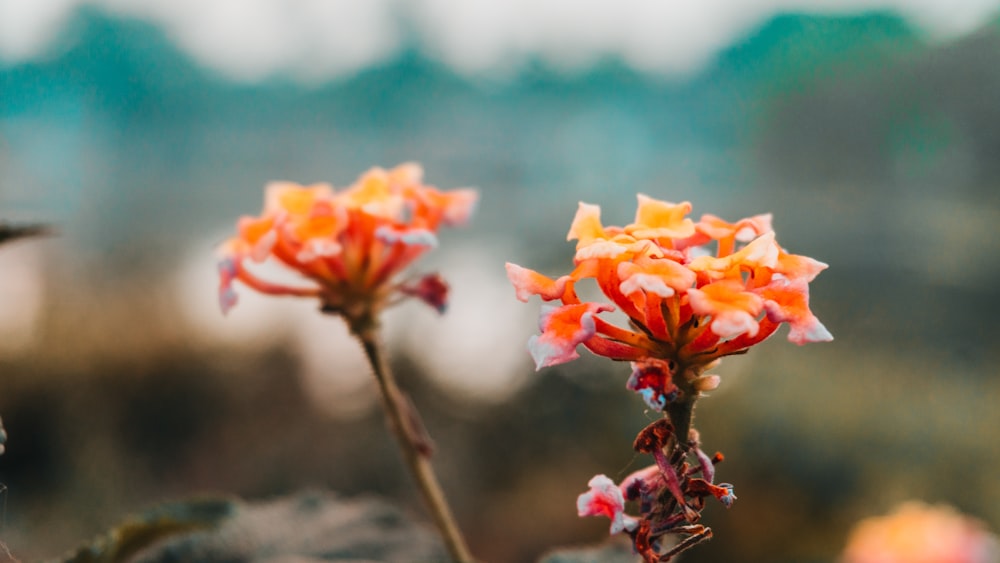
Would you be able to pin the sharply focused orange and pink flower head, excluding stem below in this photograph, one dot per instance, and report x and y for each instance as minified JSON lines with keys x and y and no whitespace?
{"x":693,"y":291}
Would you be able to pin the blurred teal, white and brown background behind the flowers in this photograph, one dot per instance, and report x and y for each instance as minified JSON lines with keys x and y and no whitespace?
{"x":140,"y":130}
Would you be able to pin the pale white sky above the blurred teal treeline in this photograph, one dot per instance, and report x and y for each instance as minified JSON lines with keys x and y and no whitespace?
{"x":320,"y":39}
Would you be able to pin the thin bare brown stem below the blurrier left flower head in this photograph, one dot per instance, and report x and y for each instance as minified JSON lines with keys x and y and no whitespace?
{"x":415,"y":447}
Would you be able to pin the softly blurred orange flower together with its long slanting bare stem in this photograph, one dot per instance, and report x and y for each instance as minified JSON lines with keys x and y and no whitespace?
{"x":349,"y":246}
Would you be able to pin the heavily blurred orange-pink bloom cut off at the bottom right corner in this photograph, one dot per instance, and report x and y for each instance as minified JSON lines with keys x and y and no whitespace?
{"x":918,"y":533}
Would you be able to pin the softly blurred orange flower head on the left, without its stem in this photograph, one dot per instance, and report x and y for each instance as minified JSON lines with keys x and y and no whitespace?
{"x":348,"y":245}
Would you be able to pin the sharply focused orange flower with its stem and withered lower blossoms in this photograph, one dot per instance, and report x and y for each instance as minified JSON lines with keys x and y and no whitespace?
{"x":693,"y":292}
